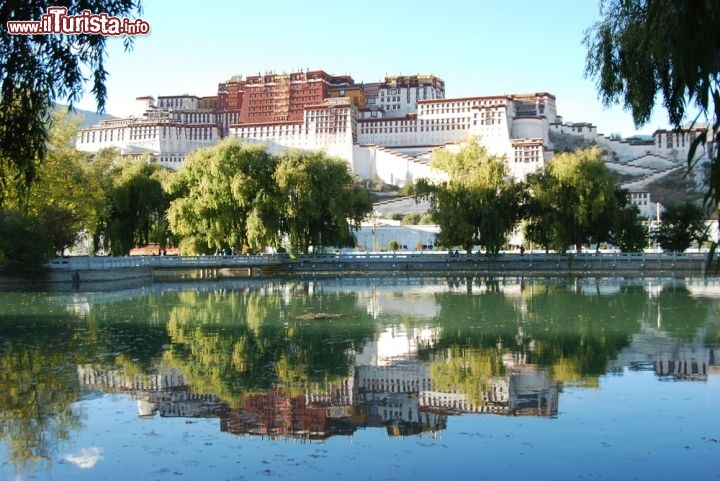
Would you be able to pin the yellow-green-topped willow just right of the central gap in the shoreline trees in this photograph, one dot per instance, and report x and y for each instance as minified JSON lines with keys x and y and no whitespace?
{"x":478,"y":204}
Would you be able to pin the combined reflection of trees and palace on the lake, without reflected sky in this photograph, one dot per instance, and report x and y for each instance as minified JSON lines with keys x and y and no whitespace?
{"x":313,"y":359}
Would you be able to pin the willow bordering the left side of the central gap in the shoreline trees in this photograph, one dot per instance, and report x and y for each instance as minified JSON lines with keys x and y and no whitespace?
{"x":323,"y":205}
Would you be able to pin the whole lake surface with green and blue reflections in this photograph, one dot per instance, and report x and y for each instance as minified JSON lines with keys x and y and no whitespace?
{"x":364,"y":379}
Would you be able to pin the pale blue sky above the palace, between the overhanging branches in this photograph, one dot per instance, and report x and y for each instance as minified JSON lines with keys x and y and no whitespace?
{"x":478,"y":47}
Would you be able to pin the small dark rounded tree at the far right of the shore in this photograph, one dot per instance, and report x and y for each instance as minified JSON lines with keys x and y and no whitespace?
{"x":680,"y":225}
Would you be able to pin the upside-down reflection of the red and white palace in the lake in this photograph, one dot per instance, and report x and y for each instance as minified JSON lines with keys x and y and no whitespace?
{"x":400,"y":396}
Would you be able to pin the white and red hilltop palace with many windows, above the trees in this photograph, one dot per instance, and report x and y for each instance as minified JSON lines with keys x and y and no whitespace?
{"x":386,"y":130}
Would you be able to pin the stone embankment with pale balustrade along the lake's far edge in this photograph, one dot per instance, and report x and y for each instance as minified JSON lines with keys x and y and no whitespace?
{"x":87,"y":274}
